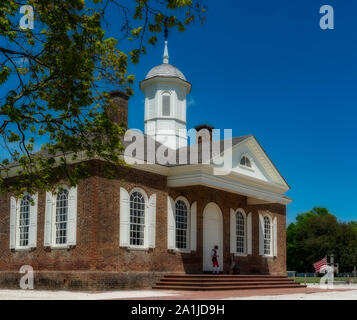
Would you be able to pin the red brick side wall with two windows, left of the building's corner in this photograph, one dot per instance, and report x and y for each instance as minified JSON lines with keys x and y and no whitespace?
{"x":42,"y":258}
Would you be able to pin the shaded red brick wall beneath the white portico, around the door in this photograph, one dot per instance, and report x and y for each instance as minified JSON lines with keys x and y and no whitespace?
{"x":225,"y":200}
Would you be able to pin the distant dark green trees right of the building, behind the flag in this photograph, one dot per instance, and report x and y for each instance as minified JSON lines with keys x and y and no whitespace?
{"x":318,"y":233}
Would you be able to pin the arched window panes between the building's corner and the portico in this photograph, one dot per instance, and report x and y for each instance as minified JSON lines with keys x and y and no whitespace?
{"x":137,"y":219}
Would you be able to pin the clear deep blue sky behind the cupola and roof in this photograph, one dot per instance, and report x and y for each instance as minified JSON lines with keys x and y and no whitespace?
{"x":266,"y":68}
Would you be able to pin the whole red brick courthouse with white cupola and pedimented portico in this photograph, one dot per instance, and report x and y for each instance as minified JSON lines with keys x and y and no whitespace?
{"x":151,"y":219}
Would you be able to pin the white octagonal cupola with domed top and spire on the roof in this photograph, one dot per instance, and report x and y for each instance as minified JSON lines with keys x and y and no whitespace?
{"x":165,"y":88}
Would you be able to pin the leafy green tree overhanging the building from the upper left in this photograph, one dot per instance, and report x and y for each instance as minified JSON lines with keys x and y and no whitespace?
{"x":58,"y":77}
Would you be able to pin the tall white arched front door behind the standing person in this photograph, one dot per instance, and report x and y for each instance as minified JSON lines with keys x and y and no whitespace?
{"x":212,"y":235}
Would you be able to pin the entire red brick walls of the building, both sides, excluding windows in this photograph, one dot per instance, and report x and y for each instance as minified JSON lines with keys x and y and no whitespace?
{"x":98,"y":247}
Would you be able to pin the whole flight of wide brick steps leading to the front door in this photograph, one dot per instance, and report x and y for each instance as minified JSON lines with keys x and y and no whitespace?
{"x":224,"y":282}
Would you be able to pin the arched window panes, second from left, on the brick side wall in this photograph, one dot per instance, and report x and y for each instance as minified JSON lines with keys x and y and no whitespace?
{"x":61,"y":221}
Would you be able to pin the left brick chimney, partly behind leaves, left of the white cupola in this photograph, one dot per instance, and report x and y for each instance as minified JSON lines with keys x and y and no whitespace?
{"x":118,"y":109}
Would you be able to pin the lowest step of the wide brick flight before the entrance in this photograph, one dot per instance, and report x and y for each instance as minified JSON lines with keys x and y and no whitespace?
{"x":216,"y":287}
